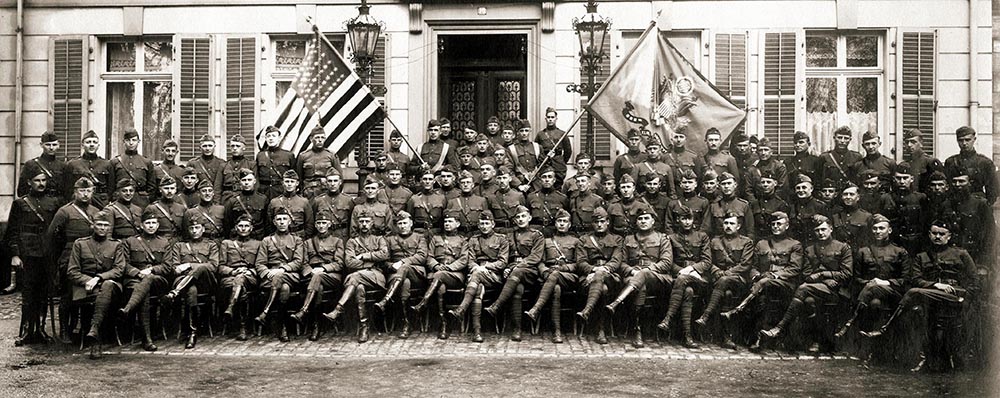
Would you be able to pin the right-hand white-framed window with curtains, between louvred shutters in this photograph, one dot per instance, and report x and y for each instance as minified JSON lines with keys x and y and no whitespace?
{"x":843,"y":76}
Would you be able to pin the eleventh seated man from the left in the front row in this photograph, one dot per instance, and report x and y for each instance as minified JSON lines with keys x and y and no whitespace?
{"x":522,"y":271}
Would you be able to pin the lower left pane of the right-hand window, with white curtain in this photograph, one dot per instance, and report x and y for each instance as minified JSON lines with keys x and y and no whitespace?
{"x":821,"y":110}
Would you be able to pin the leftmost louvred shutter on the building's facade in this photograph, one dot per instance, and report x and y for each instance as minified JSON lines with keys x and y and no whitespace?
{"x":68,"y":94}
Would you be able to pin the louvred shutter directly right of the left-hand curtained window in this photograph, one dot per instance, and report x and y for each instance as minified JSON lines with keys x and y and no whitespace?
{"x":195,"y":106}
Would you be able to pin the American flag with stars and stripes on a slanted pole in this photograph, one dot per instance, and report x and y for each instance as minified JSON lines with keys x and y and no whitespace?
{"x":327,"y":93}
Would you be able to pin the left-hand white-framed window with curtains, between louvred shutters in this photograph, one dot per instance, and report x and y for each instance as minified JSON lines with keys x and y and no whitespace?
{"x":138,"y":86}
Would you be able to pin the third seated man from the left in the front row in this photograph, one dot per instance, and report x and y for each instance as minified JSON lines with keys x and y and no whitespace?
{"x":195,"y":262}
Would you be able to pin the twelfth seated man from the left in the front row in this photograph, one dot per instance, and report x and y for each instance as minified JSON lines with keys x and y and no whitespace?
{"x":558,"y":271}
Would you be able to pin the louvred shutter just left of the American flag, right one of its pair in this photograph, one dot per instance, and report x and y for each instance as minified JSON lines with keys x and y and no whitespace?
{"x":241,"y":93}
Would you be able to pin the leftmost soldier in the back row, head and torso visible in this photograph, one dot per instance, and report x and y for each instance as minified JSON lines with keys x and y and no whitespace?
{"x":55,"y":169}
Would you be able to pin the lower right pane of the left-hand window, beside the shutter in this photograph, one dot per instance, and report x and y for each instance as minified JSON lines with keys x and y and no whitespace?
{"x":156,"y":120}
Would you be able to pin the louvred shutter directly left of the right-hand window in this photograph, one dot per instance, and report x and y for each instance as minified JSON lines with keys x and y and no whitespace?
{"x":779,"y":90}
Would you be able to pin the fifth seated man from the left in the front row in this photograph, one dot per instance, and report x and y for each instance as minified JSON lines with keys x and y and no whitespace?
{"x":279,"y":264}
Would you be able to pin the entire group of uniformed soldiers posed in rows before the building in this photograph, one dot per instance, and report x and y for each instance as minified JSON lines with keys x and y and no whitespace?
{"x":493,"y":218}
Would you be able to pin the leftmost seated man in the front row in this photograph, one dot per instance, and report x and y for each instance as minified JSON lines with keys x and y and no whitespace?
{"x":95,"y":267}
